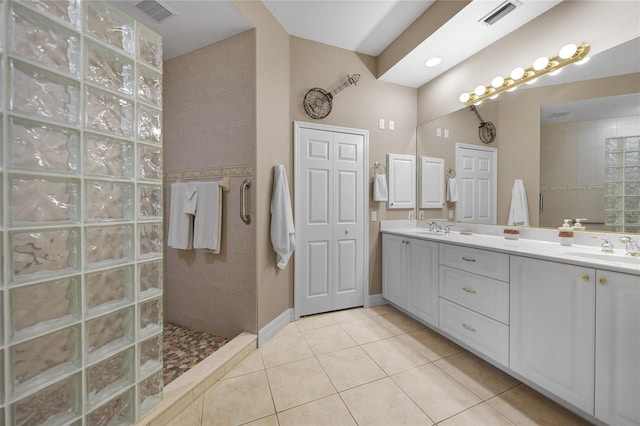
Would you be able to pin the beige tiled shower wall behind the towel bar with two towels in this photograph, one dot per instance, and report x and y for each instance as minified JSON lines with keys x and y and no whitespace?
{"x":209,"y":128}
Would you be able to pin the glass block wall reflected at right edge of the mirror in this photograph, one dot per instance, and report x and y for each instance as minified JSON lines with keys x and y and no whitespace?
{"x":622,"y":182}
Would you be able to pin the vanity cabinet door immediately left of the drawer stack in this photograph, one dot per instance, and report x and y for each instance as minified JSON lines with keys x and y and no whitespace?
{"x":422,"y":280}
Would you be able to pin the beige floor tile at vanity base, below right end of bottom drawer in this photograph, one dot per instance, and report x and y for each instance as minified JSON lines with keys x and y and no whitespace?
{"x":478,"y":376}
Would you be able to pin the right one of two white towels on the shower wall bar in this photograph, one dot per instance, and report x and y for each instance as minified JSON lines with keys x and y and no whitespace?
{"x":208,"y":221}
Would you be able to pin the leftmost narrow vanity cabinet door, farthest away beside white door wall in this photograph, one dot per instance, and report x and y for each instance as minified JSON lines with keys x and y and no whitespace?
{"x":394,"y":287}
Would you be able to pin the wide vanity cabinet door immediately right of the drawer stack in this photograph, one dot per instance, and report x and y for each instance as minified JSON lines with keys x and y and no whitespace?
{"x":552,"y":339}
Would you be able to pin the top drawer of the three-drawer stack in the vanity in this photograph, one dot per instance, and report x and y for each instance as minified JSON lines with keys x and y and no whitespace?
{"x":483,"y":262}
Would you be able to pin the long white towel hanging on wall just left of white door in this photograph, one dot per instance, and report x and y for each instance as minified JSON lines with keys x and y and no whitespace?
{"x":283,"y":232}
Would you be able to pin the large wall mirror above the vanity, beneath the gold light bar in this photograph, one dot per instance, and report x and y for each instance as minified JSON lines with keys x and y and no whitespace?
{"x":561,"y":133}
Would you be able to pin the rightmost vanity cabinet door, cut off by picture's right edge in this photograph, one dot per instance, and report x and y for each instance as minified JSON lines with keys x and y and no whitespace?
{"x":618,"y":348}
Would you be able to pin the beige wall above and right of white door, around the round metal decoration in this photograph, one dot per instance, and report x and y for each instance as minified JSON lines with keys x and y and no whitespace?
{"x":319,"y":65}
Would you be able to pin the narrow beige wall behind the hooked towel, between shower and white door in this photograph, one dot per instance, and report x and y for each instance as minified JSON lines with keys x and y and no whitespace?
{"x":273,"y":146}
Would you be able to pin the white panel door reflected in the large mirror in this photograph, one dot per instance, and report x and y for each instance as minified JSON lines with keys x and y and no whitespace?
{"x":477,"y":183}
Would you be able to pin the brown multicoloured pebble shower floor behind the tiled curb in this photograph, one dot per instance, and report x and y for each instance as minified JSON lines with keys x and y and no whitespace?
{"x":184,"y":347}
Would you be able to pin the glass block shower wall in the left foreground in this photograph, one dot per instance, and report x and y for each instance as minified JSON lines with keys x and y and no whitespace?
{"x":81,"y":218}
